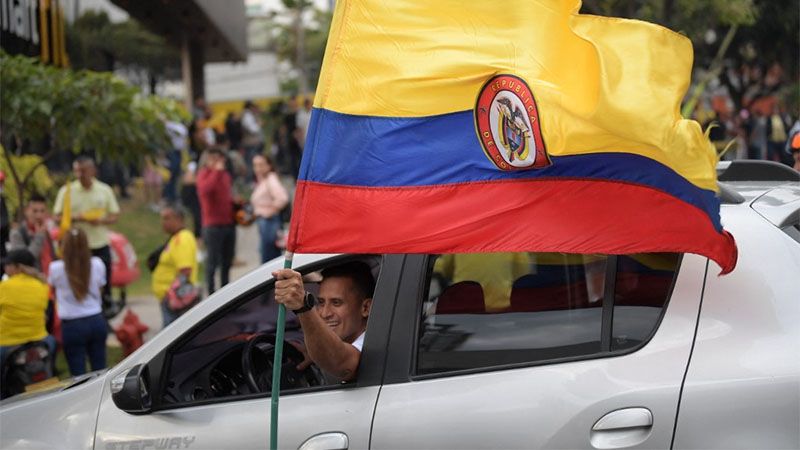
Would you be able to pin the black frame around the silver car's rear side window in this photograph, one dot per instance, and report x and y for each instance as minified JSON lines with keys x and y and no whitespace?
{"x":403,"y":346}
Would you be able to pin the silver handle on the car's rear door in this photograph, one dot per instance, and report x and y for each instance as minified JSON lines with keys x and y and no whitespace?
{"x":622,"y":428}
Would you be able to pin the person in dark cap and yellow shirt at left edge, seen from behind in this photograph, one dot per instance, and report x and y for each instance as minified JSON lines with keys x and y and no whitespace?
{"x":24,"y":298}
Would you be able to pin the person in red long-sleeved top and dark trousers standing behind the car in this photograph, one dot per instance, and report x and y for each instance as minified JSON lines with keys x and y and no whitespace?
{"x":214,"y":186}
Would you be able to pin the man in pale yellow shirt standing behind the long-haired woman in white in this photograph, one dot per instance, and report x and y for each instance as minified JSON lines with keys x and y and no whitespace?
{"x":93,"y":208}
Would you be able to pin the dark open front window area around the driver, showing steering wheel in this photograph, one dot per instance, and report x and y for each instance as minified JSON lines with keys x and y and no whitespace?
{"x":230,"y":355}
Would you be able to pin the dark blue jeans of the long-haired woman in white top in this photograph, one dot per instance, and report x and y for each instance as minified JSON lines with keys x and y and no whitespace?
{"x":82,"y":337}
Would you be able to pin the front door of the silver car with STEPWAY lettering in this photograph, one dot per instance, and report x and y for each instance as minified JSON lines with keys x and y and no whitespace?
{"x":206,"y":417}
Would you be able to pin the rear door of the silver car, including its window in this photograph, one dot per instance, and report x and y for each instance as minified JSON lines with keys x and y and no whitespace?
{"x":537,"y":375}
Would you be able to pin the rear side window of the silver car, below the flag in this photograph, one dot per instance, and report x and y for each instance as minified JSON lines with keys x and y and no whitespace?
{"x":494,"y":309}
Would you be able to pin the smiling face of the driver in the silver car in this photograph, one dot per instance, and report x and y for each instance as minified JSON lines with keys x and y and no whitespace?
{"x":342,"y":309}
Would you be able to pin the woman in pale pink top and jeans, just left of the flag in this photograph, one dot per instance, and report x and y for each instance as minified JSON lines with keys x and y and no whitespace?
{"x":268,"y":199}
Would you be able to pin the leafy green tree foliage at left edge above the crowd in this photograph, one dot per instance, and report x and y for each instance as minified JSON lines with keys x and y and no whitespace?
{"x":46,"y":110}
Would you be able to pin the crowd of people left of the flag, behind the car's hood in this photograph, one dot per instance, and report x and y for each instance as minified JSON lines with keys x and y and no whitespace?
{"x":58,"y":264}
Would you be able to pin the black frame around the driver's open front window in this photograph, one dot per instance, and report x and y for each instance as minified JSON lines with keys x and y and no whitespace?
{"x":372,"y":354}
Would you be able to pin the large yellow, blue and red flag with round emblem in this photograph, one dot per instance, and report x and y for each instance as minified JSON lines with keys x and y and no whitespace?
{"x":468,"y":126}
